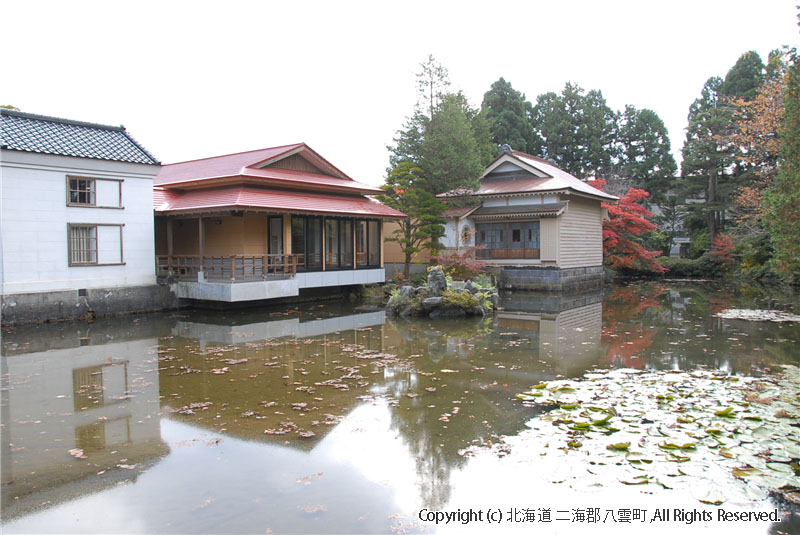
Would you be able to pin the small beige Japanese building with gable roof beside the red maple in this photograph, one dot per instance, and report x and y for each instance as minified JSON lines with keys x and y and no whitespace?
{"x":537,"y":226}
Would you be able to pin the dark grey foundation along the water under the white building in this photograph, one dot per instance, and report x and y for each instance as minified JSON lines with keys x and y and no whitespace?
{"x":77,"y":304}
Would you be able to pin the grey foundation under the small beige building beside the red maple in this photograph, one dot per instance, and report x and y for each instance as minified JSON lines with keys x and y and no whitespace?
{"x":548,"y":279}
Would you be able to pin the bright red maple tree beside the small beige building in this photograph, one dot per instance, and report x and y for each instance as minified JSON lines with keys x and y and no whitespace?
{"x":627,"y":221}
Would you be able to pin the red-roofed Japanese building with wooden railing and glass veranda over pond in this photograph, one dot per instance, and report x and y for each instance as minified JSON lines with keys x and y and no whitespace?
{"x":265,"y":224}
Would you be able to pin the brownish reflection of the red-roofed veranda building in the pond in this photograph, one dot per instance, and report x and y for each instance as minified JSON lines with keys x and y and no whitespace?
{"x":283,"y":380}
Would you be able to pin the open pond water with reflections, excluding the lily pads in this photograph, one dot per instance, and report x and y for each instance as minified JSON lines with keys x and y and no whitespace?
{"x":329,"y":418}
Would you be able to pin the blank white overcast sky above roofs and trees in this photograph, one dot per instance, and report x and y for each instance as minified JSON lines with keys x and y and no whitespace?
{"x":197,"y":79}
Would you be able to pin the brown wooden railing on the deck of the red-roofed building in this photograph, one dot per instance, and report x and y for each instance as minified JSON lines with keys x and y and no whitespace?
{"x":230,"y":267}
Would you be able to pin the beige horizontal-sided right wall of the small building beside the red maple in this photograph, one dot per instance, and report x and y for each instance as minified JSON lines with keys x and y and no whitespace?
{"x":581,"y":234}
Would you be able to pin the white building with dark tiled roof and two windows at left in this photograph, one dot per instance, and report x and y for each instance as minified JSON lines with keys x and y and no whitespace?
{"x":77,"y":219}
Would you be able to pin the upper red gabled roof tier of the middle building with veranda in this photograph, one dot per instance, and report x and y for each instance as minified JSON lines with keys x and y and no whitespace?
{"x":261,"y":167}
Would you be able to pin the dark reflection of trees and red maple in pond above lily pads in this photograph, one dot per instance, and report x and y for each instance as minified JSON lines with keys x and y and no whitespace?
{"x":678,"y":329}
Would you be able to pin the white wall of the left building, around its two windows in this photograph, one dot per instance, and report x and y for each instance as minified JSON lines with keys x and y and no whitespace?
{"x":34,"y":216}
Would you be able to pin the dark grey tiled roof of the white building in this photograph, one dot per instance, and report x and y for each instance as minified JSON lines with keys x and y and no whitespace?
{"x":51,"y":135}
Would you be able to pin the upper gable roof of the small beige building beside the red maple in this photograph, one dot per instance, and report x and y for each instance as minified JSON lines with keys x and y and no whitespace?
{"x":536,"y":175}
